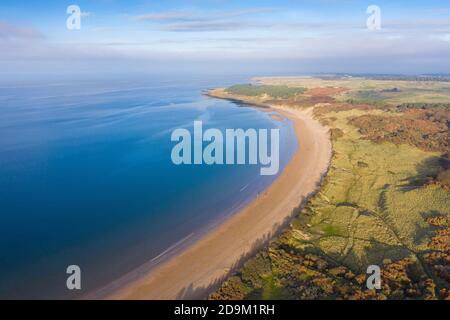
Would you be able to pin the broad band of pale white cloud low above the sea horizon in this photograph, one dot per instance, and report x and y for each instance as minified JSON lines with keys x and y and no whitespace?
{"x":314,"y":45}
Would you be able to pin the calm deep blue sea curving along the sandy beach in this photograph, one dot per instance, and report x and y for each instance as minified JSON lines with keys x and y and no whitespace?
{"x":86,"y":176}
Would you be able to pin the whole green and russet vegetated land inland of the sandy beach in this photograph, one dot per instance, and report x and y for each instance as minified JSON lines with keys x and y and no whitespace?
{"x":382,"y":203}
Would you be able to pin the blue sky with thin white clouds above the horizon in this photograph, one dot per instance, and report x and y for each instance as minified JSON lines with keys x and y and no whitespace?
{"x":261,"y":37}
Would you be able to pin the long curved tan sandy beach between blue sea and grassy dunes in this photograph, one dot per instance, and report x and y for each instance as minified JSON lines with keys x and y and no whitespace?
{"x":198,"y":270}
